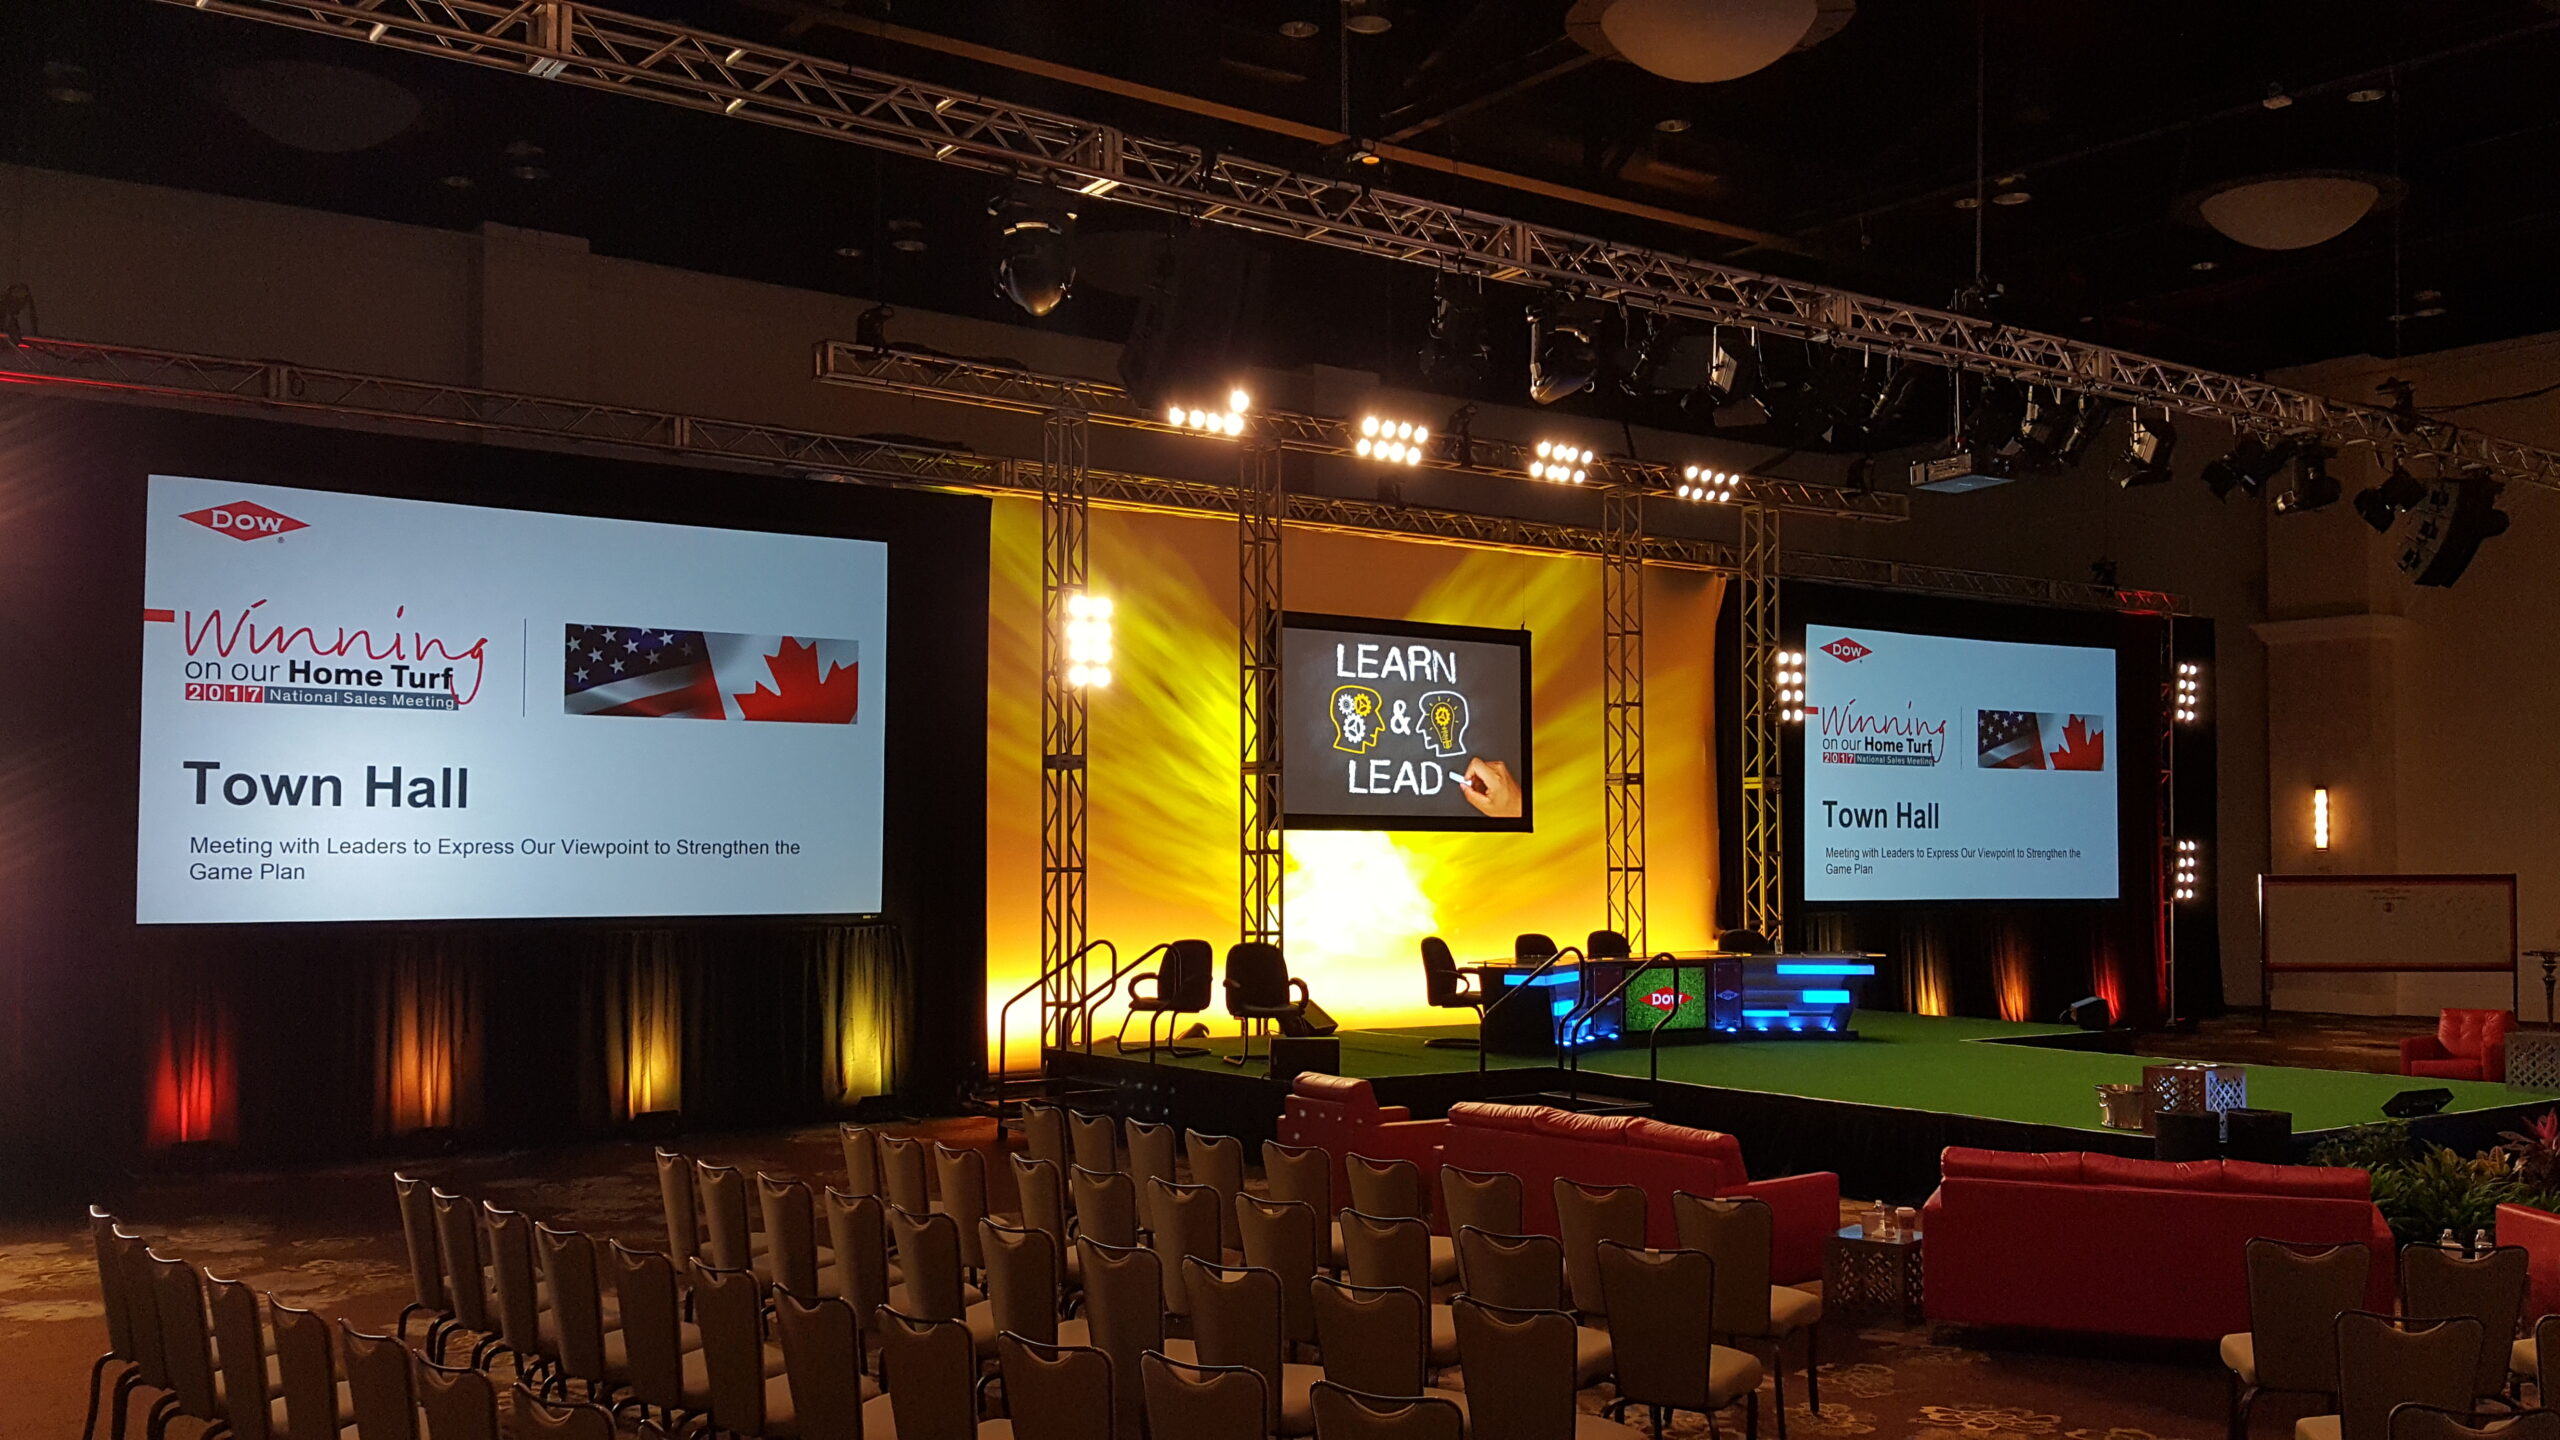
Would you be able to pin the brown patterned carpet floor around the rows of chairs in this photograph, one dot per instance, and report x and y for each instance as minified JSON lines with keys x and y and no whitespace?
{"x":332,"y":1239}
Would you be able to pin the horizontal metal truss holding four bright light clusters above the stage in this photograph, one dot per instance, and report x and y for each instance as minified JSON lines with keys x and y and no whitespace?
{"x":923,"y":375}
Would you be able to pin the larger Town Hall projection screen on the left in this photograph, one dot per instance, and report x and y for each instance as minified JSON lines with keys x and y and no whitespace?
{"x":365,"y":708}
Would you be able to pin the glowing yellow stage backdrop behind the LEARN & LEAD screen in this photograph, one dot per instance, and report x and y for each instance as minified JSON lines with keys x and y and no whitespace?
{"x":1166,"y":793}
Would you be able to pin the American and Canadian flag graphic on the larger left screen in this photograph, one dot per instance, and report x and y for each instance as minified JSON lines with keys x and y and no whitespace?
{"x":708,"y":675}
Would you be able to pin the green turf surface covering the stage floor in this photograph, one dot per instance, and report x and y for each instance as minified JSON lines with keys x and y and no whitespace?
{"x":1916,"y":1062}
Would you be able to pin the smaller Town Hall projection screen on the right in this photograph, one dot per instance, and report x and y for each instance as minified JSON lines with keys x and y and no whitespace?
{"x":1942,"y":767}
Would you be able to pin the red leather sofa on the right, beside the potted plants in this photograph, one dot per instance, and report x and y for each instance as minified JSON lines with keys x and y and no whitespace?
{"x":2121,"y":1247}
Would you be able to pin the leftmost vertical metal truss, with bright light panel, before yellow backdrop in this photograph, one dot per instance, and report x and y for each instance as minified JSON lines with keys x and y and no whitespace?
{"x":1064,"y":506}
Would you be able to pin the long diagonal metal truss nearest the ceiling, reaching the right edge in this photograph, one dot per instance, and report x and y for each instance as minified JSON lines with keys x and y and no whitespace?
{"x":721,"y":76}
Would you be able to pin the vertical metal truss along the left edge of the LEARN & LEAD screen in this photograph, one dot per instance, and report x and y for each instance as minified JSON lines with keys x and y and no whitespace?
{"x":1261,"y":506}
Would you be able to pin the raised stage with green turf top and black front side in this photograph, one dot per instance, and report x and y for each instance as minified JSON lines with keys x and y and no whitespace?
{"x":1875,"y":1108}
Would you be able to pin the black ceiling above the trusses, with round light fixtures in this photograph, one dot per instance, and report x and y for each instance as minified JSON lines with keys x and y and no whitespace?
{"x":1850,"y":155}
